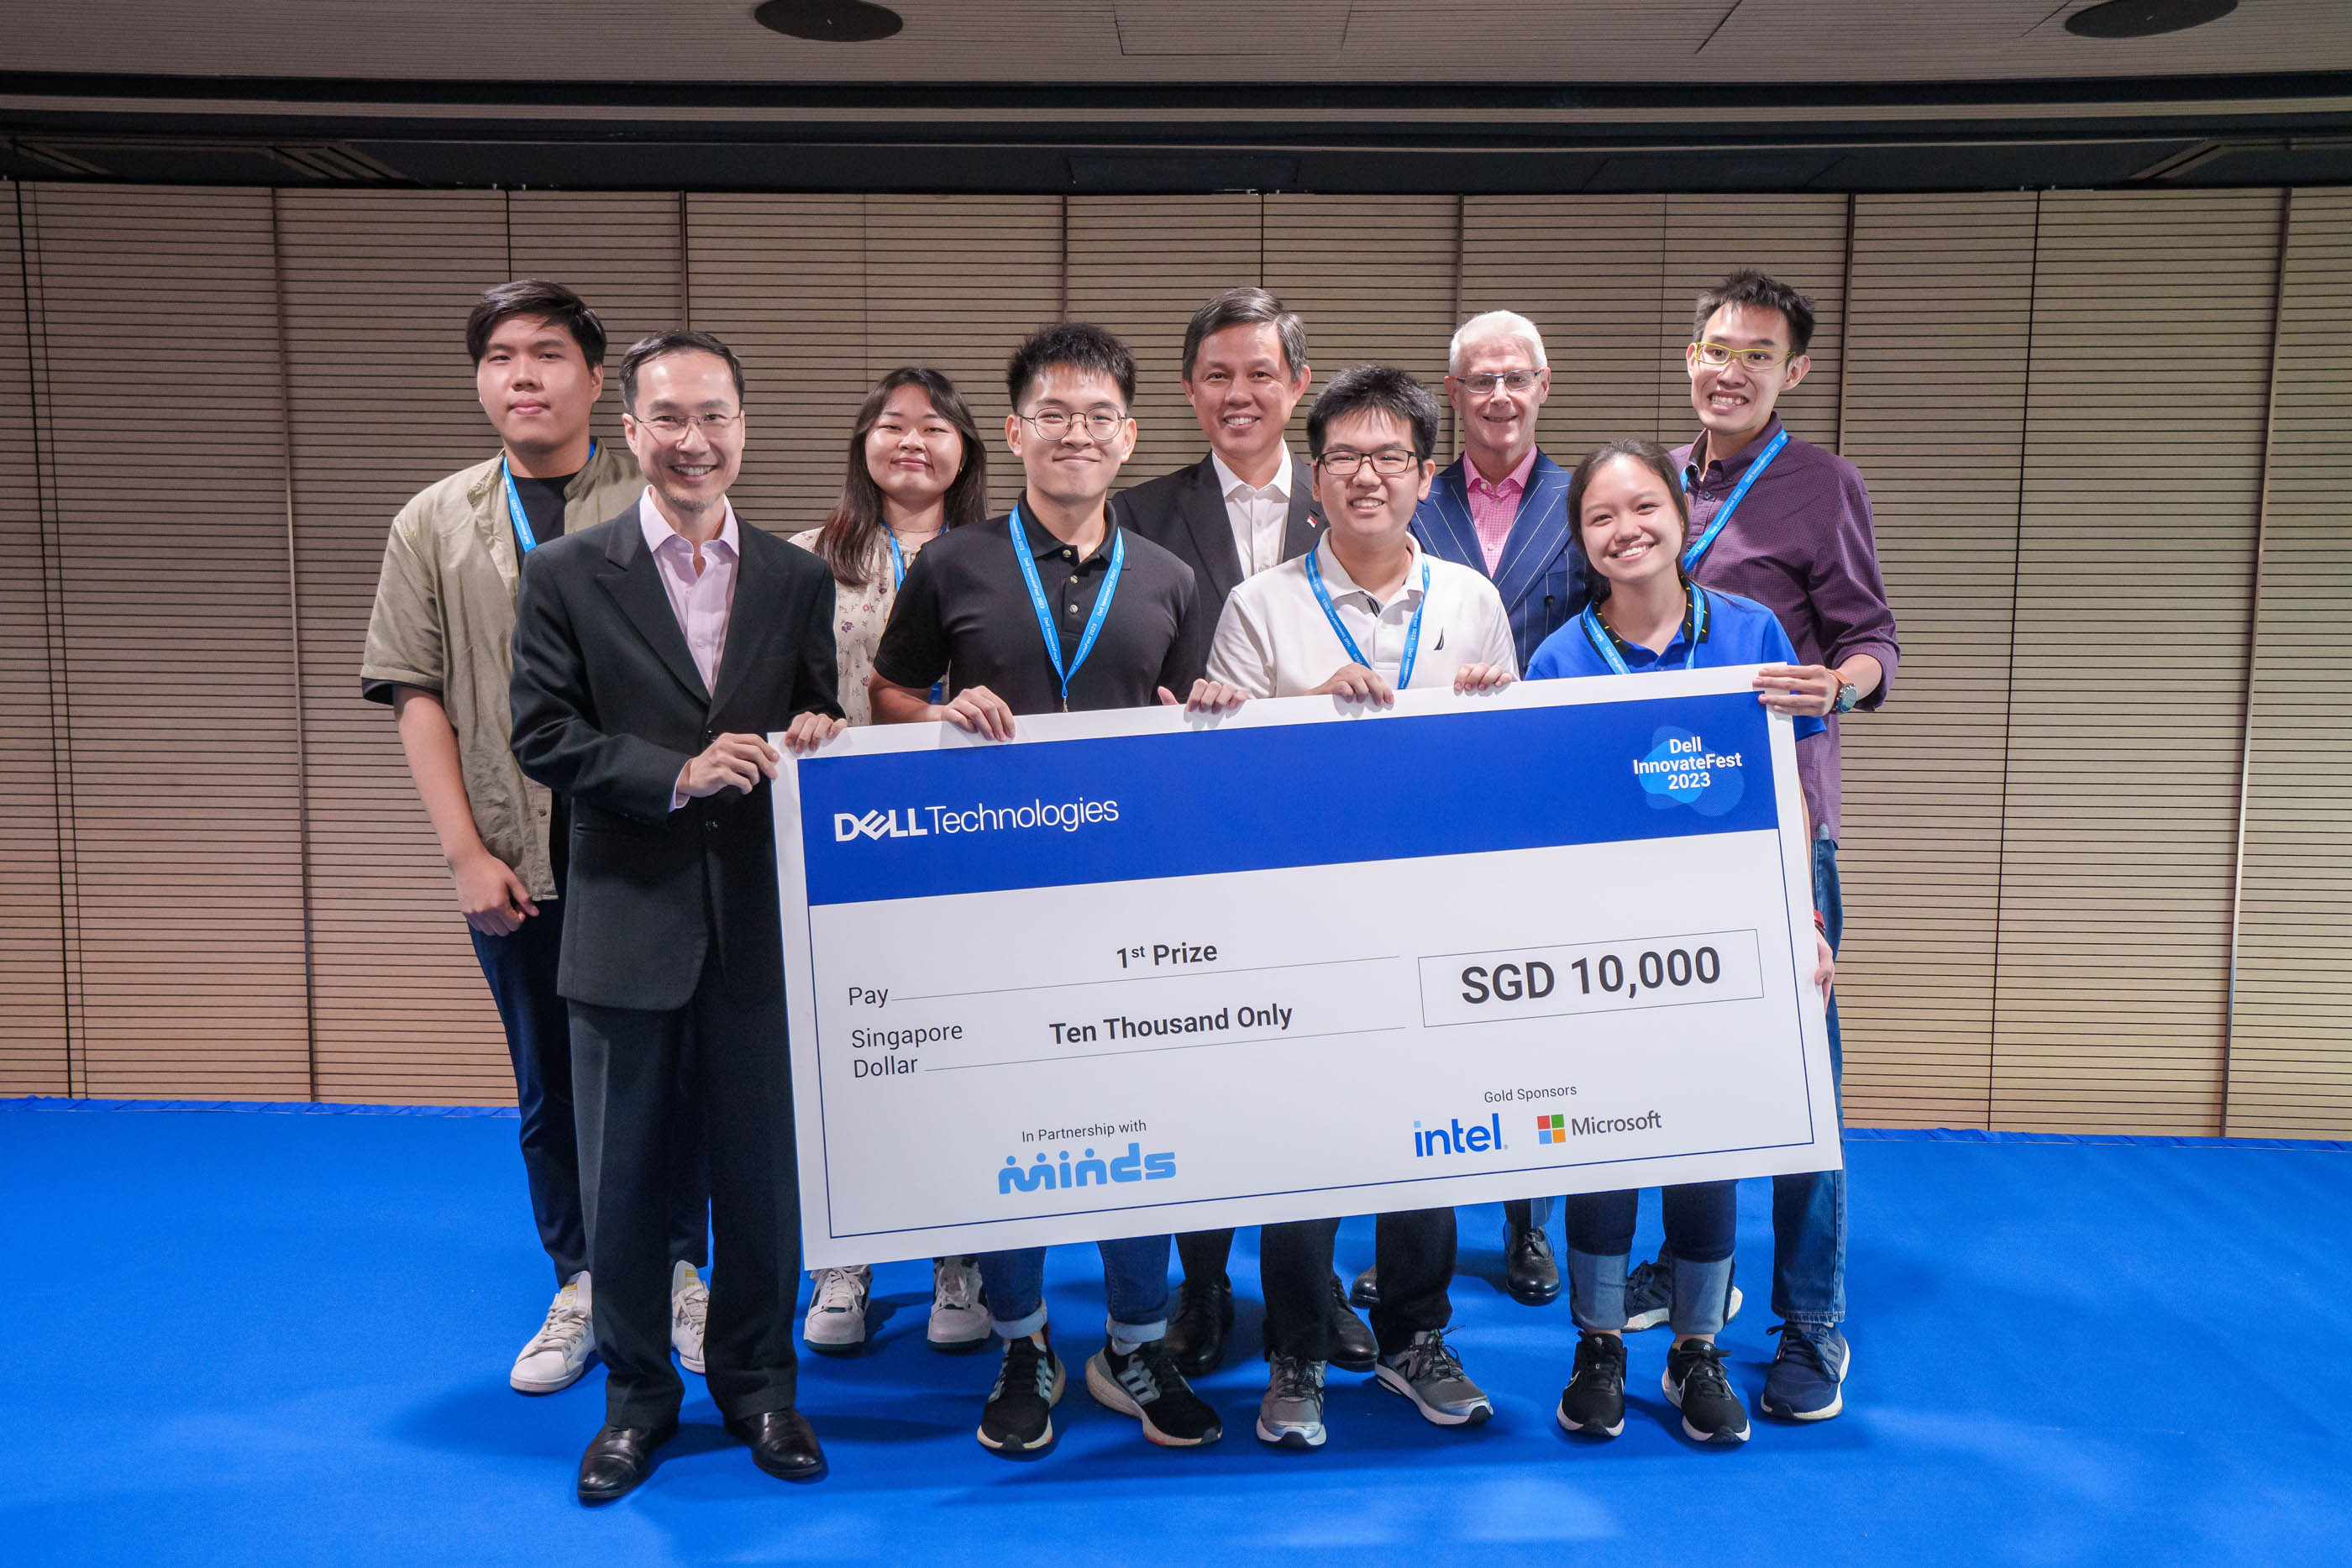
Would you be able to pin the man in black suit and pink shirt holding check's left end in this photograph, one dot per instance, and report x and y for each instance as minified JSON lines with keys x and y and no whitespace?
{"x":653,"y":655}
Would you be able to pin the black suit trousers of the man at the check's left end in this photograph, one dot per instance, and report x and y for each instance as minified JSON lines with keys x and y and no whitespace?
{"x":627,"y":1068}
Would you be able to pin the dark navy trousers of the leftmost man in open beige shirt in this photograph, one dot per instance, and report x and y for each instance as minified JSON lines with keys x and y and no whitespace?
{"x":521,"y":972}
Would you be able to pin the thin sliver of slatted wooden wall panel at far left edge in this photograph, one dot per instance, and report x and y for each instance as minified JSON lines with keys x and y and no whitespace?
{"x":34,"y":1047}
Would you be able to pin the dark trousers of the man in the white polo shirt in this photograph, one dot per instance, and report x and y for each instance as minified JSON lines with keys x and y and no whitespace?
{"x":1412,"y":1252}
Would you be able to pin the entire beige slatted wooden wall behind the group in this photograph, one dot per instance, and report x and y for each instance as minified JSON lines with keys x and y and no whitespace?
{"x":2038,"y":883}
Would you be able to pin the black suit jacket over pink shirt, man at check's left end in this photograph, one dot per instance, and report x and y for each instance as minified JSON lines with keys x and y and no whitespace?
{"x":610,"y":709}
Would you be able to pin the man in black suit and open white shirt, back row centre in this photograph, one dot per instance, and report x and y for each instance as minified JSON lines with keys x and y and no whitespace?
{"x":1231,"y":516}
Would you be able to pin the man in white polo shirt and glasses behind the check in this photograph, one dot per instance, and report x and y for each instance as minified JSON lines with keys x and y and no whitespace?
{"x":1363,"y":617}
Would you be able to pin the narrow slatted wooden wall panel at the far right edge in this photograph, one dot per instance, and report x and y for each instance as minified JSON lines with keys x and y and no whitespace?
{"x":2290,"y":1047}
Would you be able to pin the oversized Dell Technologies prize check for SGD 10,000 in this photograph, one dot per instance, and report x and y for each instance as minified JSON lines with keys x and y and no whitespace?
{"x":1149,"y":972}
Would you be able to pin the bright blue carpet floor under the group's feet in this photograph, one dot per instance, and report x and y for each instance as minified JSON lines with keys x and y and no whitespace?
{"x":283,"y":1339}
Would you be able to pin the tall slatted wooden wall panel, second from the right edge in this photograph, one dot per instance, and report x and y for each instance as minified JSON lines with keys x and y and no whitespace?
{"x":2151,"y":354}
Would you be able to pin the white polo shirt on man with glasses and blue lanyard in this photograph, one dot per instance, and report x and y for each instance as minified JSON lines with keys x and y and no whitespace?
{"x":1276,"y":641}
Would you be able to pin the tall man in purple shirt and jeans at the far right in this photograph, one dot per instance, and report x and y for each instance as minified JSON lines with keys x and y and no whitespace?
{"x":1789,"y":525}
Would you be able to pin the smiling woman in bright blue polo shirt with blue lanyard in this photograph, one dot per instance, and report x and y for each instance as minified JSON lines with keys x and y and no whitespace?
{"x":1631,"y":525}
